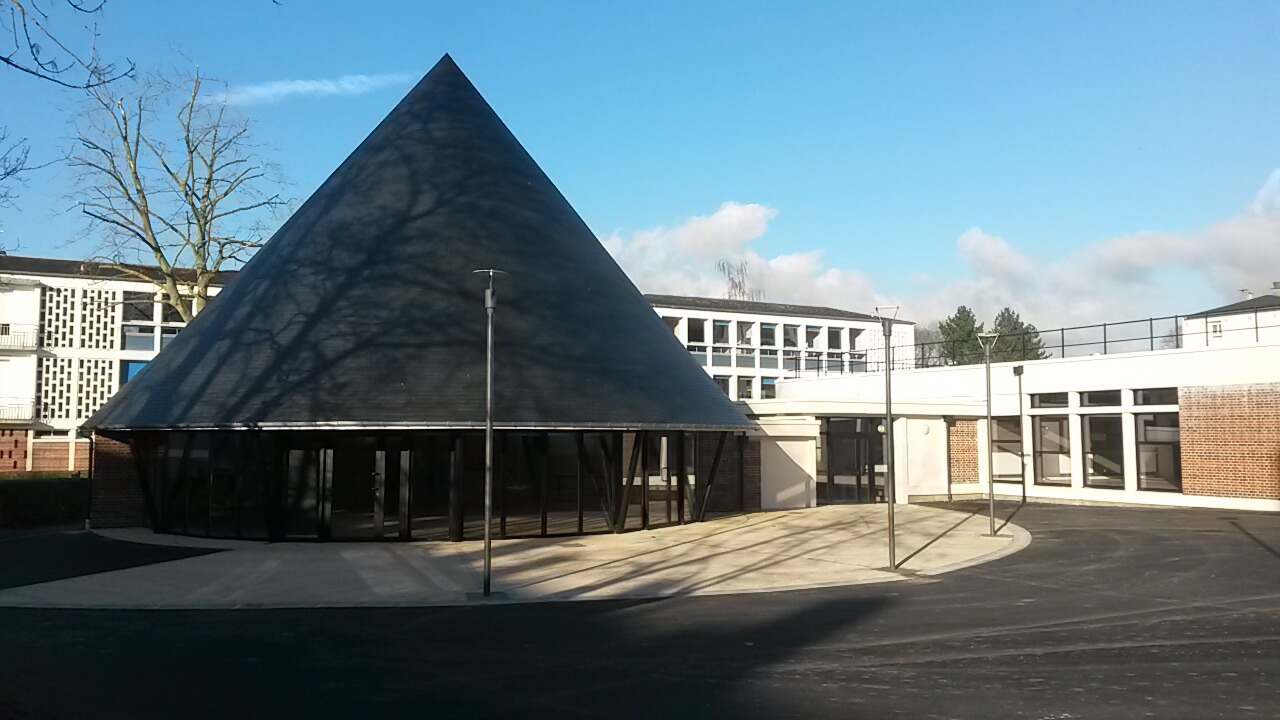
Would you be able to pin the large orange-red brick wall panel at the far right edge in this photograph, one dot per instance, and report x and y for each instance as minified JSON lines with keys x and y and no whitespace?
{"x":1231,"y":440}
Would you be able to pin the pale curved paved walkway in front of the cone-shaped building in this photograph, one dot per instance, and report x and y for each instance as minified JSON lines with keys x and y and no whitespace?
{"x":757,"y":553}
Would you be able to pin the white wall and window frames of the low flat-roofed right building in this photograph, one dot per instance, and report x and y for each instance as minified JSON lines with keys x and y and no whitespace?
{"x":922,"y":399}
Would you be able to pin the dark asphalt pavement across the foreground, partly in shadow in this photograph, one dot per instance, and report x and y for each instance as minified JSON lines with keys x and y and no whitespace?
{"x":1110,"y":613}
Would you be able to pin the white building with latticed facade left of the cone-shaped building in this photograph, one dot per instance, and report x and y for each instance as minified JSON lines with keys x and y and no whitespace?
{"x":71,"y":334}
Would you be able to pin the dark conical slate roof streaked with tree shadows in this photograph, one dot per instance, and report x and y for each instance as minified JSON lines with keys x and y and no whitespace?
{"x":363,"y":311}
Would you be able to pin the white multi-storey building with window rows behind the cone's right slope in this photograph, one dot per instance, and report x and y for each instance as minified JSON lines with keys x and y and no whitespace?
{"x":749,"y":347}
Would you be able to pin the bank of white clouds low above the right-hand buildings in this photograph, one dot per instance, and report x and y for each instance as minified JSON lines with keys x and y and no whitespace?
{"x":1150,"y":274}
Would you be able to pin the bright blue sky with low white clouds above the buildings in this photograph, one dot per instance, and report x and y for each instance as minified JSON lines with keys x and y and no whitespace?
{"x":1078,"y":161}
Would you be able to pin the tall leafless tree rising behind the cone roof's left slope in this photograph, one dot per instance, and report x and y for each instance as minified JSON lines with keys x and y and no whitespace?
{"x":193,"y":199}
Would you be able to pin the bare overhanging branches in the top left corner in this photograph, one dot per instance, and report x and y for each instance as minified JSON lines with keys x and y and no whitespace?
{"x":31,"y":44}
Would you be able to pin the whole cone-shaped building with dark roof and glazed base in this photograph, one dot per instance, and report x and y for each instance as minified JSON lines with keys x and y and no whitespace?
{"x":362,"y":325}
